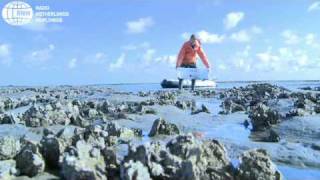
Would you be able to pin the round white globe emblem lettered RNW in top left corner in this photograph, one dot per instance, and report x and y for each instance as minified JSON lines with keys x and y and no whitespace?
{"x":17,"y":13}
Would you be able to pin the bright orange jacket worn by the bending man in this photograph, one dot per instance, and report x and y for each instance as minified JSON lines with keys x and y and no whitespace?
{"x":187,"y":54}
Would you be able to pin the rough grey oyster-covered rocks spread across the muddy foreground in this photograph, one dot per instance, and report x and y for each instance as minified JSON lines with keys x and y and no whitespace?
{"x":71,"y":132}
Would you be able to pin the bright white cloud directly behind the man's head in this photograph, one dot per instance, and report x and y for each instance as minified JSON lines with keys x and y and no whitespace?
{"x":205,"y":37}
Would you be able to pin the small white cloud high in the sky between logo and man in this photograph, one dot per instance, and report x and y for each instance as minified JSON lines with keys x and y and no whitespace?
{"x":140,"y":25}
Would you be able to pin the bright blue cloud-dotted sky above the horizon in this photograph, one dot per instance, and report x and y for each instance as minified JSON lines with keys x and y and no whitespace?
{"x":137,"y":41}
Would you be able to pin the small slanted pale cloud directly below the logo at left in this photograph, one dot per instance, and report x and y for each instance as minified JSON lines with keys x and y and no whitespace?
{"x":38,"y":57}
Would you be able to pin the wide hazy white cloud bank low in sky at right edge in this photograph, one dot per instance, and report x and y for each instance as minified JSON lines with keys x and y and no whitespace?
{"x":288,"y":59}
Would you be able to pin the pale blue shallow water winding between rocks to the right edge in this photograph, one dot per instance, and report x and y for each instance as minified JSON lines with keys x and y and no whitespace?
{"x":229,"y":130}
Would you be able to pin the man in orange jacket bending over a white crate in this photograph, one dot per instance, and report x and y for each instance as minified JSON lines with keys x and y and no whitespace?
{"x":188,"y":55}
